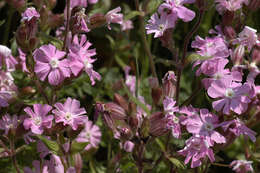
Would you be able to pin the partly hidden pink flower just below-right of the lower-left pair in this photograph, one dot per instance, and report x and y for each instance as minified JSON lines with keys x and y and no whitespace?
{"x":91,"y":133}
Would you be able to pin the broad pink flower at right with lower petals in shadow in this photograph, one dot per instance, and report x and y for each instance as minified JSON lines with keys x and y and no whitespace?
{"x":232,"y":96}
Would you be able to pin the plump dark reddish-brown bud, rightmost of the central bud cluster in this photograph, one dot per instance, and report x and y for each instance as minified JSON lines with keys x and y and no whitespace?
{"x":158,"y":124}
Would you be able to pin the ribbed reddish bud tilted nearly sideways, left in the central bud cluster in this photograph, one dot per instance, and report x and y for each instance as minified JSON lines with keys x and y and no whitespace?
{"x":115,"y":111}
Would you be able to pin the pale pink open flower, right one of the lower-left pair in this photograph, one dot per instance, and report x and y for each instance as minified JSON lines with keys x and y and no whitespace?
{"x":69,"y":113}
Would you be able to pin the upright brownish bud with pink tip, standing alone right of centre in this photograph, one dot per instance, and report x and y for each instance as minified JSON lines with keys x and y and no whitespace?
{"x":169,"y":84}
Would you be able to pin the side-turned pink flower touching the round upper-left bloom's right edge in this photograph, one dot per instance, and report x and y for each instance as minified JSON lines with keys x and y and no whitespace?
{"x":80,"y":58}
